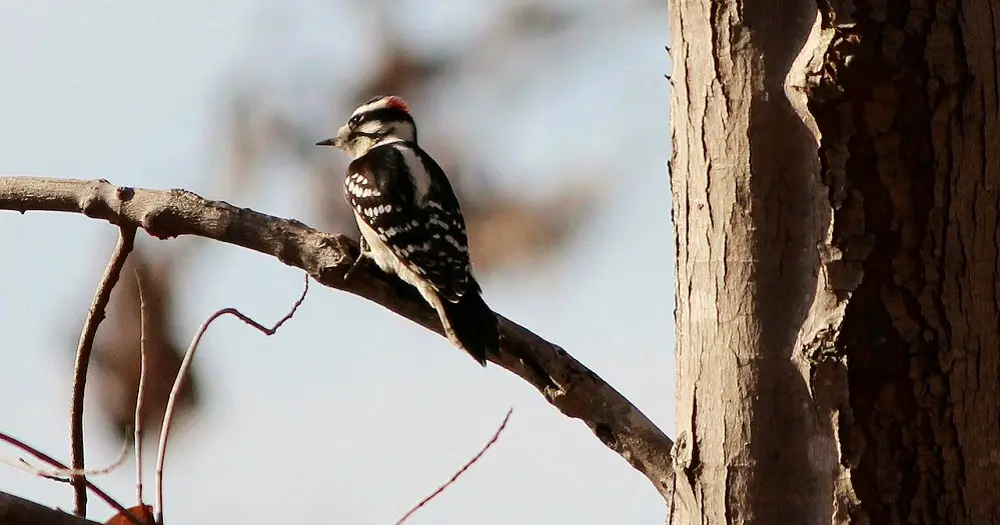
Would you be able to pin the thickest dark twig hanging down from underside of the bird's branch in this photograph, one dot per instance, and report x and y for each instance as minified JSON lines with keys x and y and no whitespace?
{"x":126,"y":239}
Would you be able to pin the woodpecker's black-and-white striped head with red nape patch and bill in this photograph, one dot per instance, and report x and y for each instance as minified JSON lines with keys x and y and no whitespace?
{"x":379,"y":120}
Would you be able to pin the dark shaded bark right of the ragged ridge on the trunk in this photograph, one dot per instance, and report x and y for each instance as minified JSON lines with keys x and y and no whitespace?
{"x":910,"y":143}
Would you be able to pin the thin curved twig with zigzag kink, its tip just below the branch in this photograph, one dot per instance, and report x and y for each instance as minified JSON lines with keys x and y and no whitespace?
{"x":182,"y":376}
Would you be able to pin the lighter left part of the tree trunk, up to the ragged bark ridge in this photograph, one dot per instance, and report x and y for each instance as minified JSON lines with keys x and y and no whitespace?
{"x":748,"y":217}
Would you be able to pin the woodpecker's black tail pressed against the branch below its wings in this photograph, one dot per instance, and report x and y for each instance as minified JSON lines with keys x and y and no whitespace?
{"x":471,"y":325}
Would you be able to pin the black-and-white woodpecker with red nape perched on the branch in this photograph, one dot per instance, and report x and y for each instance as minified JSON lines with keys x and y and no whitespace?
{"x":411,"y":222}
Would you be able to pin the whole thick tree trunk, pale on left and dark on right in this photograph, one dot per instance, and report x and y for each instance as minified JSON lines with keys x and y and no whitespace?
{"x":836,"y":207}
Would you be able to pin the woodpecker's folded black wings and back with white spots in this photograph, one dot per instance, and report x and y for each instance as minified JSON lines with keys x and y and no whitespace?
{"x":402,"y":194}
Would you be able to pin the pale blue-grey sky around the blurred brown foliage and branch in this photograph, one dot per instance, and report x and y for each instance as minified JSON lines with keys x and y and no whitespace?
{"x":349,"y":414}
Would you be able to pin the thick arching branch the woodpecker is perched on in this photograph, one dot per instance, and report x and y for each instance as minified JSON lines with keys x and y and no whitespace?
{"x":571,"y":387}
